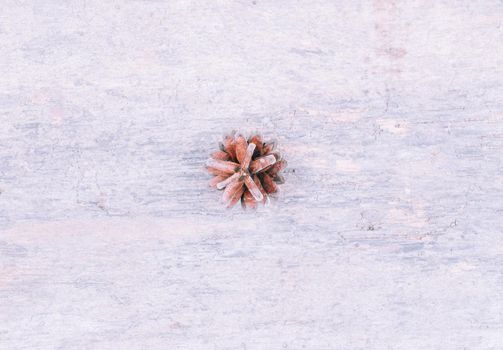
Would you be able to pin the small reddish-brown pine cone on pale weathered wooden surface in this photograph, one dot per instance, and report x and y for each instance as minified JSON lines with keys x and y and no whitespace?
{"x":247,"y":170}
